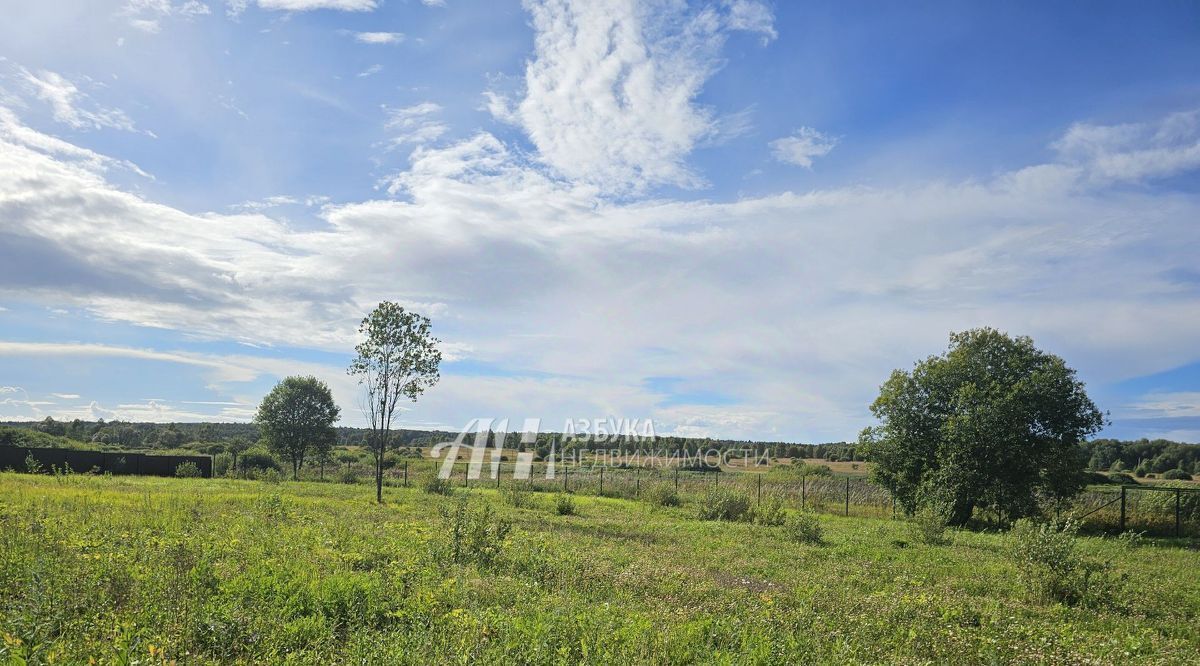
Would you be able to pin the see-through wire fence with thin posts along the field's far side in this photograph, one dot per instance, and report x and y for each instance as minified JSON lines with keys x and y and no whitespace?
{"x":1163,"y":511}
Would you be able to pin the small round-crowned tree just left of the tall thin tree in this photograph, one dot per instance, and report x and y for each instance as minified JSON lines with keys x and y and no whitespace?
{"x":297,"y":419}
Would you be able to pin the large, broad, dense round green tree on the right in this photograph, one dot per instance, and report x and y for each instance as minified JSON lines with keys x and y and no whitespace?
{"x":994,"y":423}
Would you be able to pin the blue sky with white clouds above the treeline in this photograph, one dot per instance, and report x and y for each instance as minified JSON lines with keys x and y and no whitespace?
{"x":733,"y":218}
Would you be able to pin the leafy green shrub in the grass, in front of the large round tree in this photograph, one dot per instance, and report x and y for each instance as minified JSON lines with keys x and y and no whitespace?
{"x":1052,"y":568}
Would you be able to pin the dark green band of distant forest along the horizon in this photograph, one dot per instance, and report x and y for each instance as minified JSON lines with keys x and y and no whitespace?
{"x":1139,"y":458}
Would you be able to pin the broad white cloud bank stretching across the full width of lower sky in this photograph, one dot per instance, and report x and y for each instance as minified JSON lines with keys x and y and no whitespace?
{"x":794,"y":305}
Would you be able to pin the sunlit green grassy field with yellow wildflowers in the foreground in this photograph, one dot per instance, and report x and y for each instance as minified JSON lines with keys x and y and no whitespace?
{"x":136,"y":571}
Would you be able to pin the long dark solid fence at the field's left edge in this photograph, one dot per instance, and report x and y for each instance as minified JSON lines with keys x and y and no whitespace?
{"x":113,"y":463}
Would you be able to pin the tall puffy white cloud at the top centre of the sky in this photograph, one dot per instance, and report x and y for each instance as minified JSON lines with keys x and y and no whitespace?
{"x":610,"y":97}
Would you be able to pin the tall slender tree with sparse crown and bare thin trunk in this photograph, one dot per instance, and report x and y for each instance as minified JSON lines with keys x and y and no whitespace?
{"x":397,"y":361}
